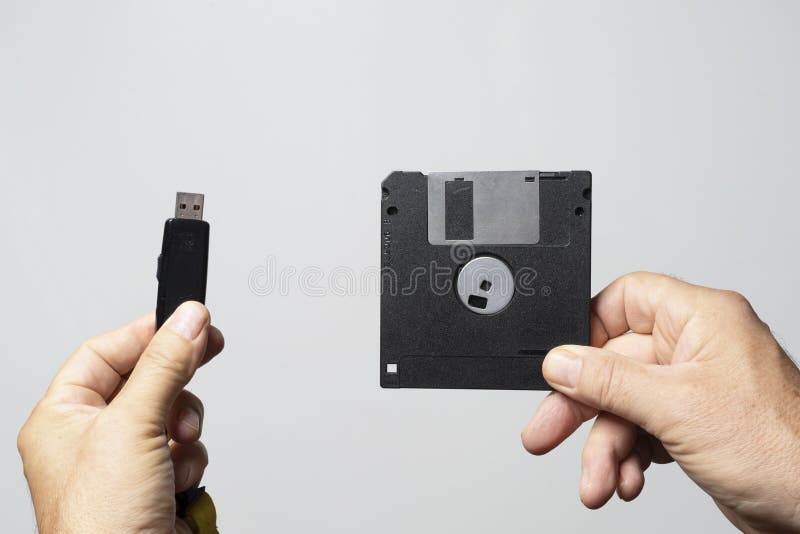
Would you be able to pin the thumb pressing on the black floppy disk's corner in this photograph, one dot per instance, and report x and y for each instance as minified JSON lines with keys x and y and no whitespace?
{"x":609,"y":382}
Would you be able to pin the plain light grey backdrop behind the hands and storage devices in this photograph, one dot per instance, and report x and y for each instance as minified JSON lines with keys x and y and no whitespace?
{"x":287,"y":115}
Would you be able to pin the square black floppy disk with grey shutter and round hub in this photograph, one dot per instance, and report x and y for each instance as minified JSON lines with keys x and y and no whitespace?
{"x":482,"y":273}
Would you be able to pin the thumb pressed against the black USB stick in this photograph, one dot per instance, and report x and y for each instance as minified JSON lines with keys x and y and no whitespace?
{"x":166,"y":365}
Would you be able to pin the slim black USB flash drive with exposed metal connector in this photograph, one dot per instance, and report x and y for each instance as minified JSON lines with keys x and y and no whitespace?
{"x":183,"y":263}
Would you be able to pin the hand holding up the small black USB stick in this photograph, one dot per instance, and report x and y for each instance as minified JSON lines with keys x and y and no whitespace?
{"x":96,"y":451}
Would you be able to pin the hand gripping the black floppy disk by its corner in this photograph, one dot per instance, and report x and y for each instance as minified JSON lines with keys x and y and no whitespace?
{"x":686,"y":373}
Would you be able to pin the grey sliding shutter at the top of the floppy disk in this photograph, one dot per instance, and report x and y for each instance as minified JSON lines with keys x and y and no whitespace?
{"x":483,"y":208}
